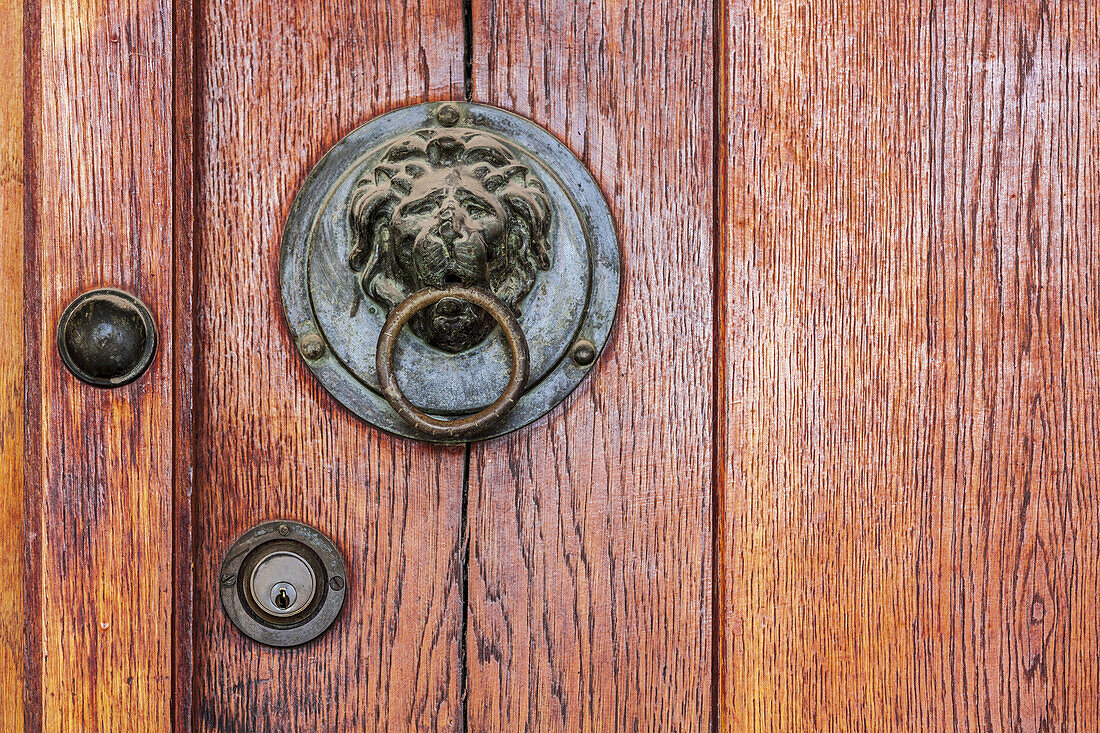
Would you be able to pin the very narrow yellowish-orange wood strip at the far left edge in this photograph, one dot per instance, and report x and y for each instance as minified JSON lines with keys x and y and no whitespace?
{"x":12,"y":366}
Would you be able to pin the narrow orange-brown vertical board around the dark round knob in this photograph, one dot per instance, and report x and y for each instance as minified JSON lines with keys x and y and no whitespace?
{"x":100,"y":473}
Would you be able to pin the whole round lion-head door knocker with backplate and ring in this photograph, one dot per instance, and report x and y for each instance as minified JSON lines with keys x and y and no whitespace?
{"x":481,"y":233}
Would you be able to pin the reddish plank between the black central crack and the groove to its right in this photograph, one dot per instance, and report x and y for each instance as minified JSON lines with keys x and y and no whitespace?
{"x":590,"y":557}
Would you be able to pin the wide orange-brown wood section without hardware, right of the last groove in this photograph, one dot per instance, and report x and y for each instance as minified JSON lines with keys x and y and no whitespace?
{"x":909,"y":374}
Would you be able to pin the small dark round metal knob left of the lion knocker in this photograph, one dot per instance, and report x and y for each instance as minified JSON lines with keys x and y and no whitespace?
{"x":107,"y":338}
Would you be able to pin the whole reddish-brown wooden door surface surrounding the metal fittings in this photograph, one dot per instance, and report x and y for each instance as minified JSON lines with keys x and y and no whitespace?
{"x":835,"y":472}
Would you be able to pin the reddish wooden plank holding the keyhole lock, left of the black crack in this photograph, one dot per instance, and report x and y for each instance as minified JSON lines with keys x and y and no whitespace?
{"x":278,"y":85}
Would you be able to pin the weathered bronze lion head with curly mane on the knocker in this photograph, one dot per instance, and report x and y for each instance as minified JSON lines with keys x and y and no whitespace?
{"x":449,"y":207}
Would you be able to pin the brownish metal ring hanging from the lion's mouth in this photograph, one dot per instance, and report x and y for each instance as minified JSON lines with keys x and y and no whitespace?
{"x":461,"y":428}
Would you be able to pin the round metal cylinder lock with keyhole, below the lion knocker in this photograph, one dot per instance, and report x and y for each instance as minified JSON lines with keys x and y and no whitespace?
{"x":257,"y":559}
